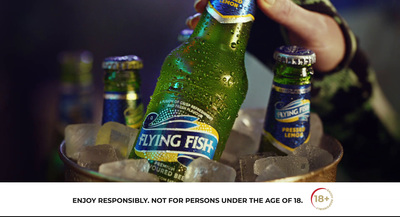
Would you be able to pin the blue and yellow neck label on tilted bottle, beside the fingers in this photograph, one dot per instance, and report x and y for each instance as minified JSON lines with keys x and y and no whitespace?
{"x":232,"y":11}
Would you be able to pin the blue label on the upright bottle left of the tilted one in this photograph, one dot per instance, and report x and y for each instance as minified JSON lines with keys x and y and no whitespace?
{"x":123,"y":107}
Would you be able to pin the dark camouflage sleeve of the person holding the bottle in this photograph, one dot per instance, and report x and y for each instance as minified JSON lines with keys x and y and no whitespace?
{"x":354,"y":109}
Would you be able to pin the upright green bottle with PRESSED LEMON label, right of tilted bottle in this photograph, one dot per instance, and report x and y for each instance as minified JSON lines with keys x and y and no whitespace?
{"x":287,"y":123}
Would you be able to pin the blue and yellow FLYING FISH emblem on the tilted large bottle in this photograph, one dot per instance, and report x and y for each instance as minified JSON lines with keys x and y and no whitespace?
{"x":173,"y":137}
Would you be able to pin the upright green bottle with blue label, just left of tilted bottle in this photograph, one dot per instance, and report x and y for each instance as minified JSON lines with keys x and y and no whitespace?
{"x":122,"y":99}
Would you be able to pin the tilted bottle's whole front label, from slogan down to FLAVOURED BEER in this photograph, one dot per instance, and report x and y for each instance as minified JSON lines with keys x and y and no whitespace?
{"x":173,"y":137}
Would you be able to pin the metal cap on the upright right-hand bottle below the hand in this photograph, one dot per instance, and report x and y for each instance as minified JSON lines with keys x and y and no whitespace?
{"x":294,"y":55}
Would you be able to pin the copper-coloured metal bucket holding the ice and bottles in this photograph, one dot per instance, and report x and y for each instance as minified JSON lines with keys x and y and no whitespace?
{"x":73,"y":172}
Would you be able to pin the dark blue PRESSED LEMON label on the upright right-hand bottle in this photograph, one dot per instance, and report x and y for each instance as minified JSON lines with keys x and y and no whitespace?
{"x":287,"y":121}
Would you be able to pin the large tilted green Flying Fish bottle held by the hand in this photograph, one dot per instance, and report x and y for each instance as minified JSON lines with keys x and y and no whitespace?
{"x":199,"y":92}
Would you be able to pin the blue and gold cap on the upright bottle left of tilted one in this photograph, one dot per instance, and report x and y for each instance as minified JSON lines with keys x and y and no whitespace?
{"x":127,"y":62}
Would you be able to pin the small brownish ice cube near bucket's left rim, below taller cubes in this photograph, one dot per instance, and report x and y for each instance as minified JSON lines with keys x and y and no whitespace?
{"x":91,"y":157}
